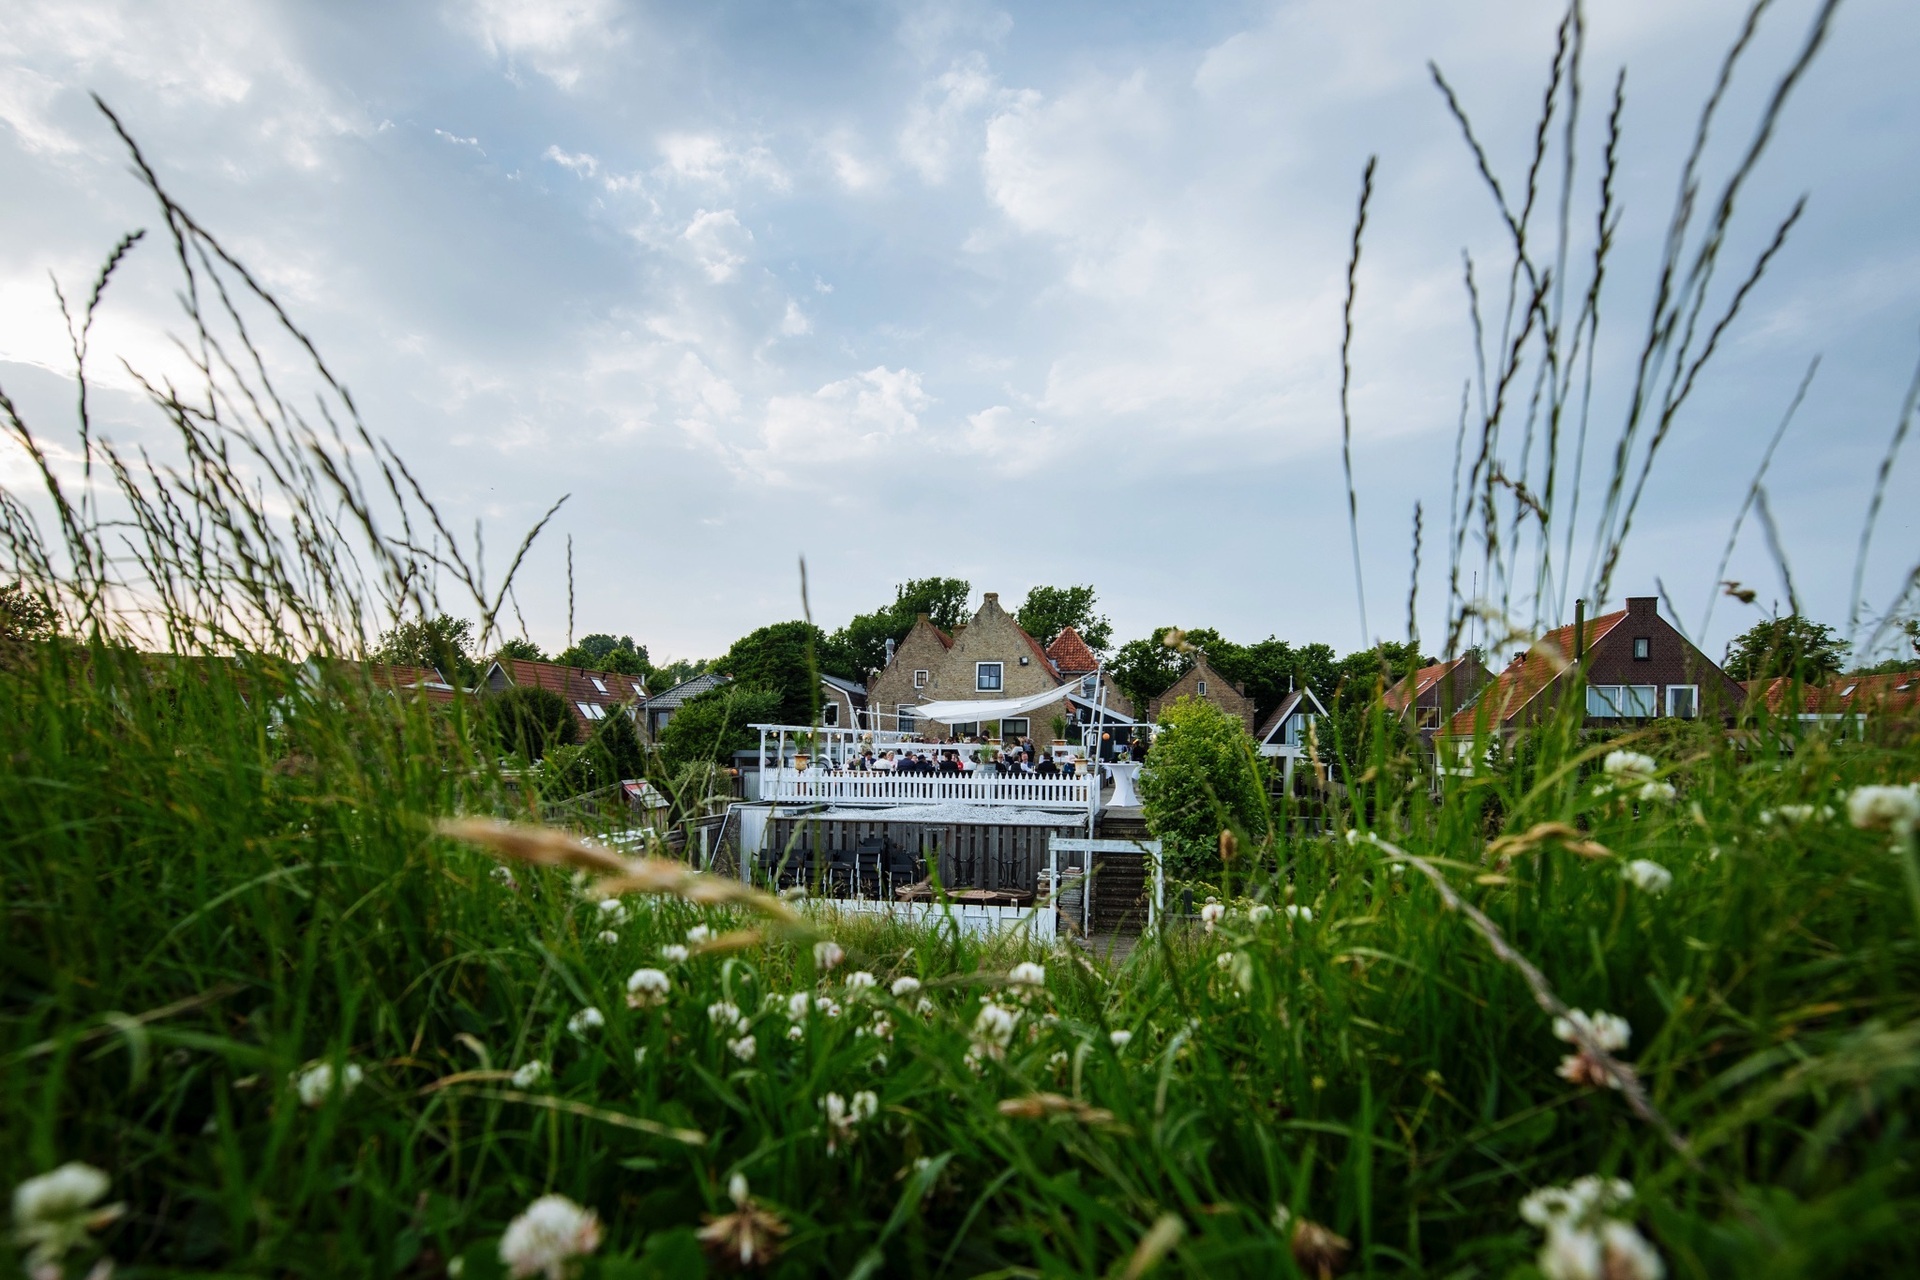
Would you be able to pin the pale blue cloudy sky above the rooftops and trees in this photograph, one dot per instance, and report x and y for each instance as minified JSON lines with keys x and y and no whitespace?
{"x":1020,"y":295}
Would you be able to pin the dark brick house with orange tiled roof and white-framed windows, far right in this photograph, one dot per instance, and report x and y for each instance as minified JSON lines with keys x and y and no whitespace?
{"x":1637,"y":669}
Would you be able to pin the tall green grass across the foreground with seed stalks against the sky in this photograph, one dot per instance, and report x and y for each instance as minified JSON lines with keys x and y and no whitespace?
{"x":226,"y":865}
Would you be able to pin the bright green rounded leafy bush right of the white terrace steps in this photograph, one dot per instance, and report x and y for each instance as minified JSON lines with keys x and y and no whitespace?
{"x":1203,"y":776}
